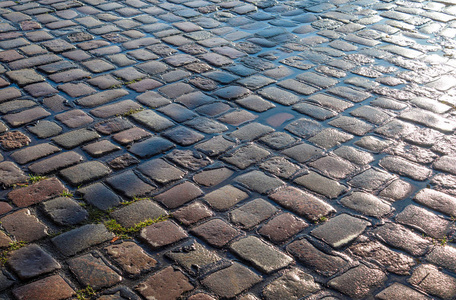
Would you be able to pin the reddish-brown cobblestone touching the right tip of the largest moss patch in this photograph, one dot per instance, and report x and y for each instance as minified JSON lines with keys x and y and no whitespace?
{"x":162,"y":234}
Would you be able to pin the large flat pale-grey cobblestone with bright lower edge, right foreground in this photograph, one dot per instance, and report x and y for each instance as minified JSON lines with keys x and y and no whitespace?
{"x":340,"y":230}
